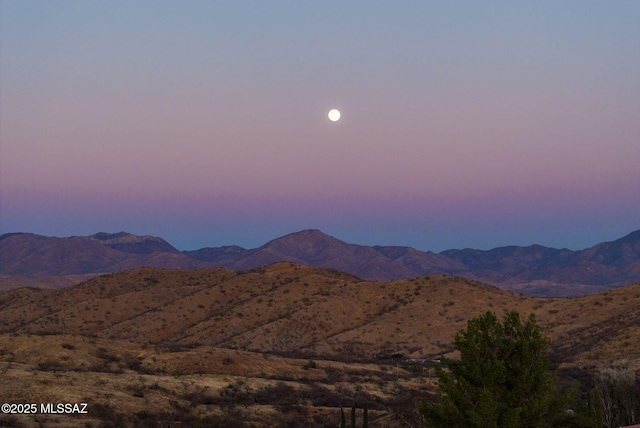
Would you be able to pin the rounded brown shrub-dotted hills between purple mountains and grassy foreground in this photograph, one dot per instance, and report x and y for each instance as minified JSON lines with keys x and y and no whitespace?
{"x":316,"y":312}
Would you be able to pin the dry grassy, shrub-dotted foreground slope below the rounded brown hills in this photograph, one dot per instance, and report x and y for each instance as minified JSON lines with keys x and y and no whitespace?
{"x":194,"y":386}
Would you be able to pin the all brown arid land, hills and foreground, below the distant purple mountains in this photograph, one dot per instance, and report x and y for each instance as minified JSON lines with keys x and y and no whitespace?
{"x":282,"y":345}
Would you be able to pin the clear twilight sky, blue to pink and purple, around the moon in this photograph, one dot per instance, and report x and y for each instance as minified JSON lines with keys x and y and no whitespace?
{"x":464,"y":124}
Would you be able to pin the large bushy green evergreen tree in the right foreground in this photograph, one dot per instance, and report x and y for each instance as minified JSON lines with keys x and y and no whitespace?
{"x":502,"y":378}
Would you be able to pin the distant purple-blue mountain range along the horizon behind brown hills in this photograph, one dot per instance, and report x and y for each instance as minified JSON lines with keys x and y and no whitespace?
{"x":30,"y":259}
